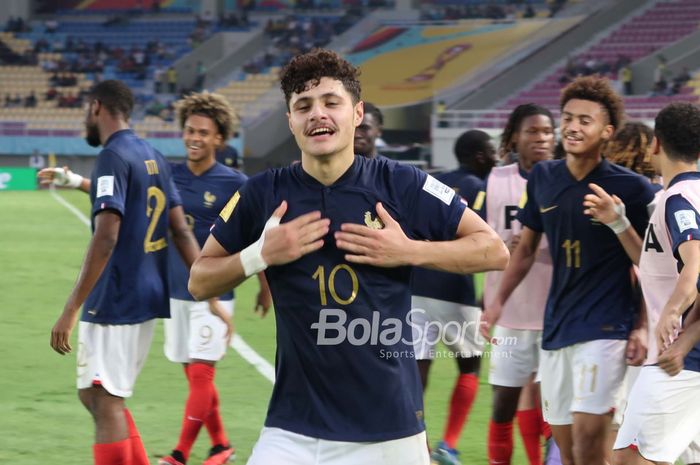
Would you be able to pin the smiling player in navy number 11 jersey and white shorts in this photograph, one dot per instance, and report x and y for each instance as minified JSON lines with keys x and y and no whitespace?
{"x":590,"y":311}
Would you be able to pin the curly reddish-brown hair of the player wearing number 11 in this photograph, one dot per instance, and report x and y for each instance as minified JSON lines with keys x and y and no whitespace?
{"x":596,"y":89}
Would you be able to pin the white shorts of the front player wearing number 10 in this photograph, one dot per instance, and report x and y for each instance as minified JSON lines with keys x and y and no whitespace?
{"x":278,"y":446}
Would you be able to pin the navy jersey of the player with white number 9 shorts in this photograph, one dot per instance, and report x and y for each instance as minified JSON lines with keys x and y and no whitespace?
{"x":203,"y":197}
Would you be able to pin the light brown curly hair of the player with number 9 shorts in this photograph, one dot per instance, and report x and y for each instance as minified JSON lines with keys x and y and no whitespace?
{"x":213,"y":106}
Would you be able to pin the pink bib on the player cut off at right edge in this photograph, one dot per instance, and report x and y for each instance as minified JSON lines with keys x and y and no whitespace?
{"x":658,"y":272}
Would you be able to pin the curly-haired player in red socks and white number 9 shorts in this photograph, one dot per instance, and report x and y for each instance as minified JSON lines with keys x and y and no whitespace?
{"x":194,"y":335}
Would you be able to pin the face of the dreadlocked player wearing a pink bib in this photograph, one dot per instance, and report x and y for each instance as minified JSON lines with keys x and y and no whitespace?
{"x":534,"y":140}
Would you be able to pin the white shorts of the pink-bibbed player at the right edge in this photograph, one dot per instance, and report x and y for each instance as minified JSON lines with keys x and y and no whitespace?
{"x":662,"y":416}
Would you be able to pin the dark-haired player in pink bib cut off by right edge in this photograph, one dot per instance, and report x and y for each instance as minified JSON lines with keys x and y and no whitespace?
{"x":661,"y":415}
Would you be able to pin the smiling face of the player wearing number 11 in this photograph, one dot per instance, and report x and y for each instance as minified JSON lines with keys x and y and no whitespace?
{"x":585,"y":127}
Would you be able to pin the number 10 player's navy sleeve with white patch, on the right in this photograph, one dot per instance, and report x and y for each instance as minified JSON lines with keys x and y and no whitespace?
{"x":433,"y":209}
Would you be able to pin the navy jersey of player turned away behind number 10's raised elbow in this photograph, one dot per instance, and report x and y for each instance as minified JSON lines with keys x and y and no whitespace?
{"x":439,"y":285}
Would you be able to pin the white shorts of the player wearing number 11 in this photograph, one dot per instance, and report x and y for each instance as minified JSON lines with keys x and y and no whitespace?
{"x":581,"y":378}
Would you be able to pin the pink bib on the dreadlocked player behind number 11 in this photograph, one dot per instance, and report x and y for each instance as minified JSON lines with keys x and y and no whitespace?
{"x":505,"y":192}
